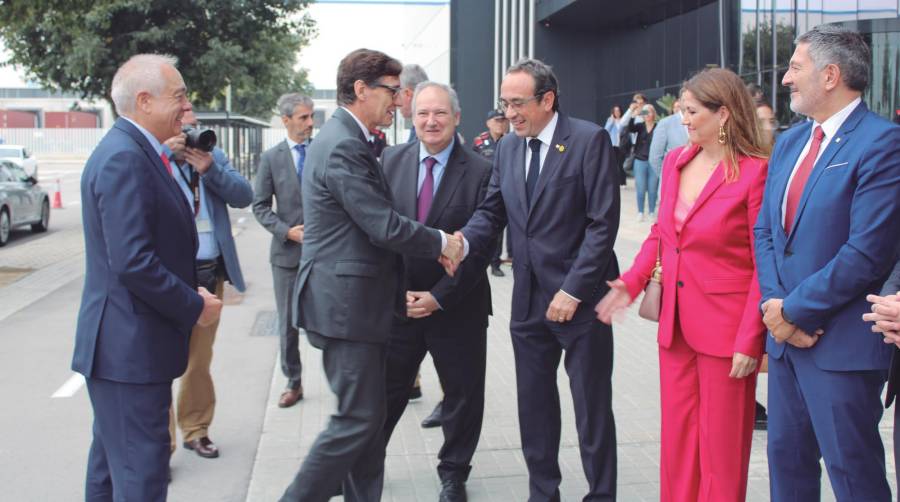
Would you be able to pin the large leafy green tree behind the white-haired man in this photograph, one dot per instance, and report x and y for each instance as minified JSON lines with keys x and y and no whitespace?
{"x":76,"y":45}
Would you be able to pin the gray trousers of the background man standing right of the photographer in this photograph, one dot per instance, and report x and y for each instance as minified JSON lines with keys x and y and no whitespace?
{"x":283,"y":279}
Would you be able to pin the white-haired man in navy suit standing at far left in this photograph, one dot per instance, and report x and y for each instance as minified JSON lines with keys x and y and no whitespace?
{"x":140,"y":298}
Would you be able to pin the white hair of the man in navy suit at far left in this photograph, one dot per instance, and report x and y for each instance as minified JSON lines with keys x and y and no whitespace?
{"x":141,"y":73}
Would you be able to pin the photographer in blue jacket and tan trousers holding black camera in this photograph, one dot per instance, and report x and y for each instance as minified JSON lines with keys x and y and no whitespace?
{"x":210,"y":184}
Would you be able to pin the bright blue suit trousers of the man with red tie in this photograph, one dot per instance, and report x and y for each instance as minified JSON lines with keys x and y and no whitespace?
{"x":816,"y":414}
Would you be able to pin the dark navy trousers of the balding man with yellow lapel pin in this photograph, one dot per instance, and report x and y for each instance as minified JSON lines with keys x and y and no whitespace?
{"x":588,"y":360}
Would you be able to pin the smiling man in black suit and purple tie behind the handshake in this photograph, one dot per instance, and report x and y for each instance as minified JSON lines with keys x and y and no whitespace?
{"x":440,"y":182}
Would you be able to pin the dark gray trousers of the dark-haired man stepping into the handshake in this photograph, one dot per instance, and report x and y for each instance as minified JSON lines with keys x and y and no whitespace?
{"x":350,"y":451}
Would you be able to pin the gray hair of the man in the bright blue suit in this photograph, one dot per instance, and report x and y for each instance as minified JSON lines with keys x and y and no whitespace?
{"x":830,"y":44}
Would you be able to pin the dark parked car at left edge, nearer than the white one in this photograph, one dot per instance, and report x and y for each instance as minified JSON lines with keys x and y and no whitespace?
{"x":22,"y":201}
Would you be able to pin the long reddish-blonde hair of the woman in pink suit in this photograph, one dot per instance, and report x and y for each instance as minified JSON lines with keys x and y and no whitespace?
{"x":718,"y":87}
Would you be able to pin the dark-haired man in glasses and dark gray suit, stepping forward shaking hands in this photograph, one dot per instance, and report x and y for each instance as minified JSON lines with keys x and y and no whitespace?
{"x":350,"y":282}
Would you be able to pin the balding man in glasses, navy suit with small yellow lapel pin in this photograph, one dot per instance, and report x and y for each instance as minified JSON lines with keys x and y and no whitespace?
{"x":555,"y":182}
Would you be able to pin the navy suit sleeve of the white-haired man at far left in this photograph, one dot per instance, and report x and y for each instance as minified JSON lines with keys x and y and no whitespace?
{"x":127,"y":210}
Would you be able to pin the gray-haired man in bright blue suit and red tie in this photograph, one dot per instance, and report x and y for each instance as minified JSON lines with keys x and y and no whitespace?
{"x":825,"y":238}
